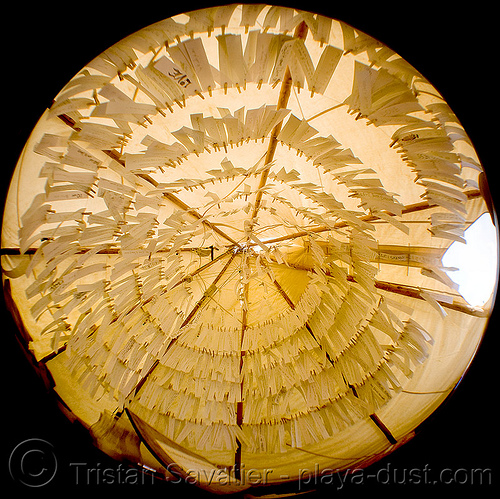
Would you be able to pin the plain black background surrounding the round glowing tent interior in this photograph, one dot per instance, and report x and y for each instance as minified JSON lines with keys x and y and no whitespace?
{"x":454,"y":45}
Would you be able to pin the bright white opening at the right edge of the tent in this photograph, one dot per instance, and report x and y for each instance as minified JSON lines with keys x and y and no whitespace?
{"x":476,"y":262}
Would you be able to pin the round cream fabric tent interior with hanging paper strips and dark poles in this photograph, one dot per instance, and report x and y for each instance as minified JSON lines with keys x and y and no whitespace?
{"x":249,"y":275}
